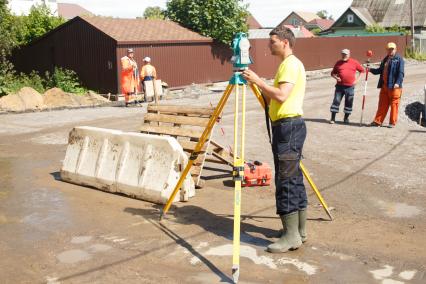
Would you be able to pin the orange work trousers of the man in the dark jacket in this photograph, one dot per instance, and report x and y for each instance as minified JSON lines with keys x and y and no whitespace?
{"x":388,"y":98}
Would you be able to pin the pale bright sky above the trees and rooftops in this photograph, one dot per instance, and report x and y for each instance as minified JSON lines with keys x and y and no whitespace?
{"x":269,"y":13}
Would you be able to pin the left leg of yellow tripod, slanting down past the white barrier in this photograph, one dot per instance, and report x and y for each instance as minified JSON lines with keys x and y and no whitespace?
{"x":198,"y":147}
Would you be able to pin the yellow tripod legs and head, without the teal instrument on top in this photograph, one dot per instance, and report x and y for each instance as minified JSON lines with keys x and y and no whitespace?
{"x":238,"y":167}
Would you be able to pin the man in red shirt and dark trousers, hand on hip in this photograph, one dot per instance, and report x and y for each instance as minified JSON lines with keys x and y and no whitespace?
{"x":344,"y":72}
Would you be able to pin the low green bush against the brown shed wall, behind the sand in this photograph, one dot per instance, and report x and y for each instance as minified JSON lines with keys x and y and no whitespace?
{"x":65,"y":79}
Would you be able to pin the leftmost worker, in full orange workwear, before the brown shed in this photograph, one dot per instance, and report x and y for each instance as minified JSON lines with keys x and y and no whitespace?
{"x":129,"y":77}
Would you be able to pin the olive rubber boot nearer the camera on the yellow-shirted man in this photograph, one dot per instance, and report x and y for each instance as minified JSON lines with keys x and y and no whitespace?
{"x":291,"y":239}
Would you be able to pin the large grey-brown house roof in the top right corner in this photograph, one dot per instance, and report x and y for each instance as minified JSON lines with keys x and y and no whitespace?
{"x":394,"y":12}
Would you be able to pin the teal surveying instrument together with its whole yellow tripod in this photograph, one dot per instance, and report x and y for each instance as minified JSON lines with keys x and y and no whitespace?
{"x":241,"y":60}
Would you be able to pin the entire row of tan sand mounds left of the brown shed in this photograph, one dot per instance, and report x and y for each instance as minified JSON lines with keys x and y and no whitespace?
{"x":28,"y":99}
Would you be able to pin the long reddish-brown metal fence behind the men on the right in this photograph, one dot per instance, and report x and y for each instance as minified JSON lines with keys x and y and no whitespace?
{"x":318,"y":53}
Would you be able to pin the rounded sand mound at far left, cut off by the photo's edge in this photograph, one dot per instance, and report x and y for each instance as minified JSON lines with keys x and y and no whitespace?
{"x":25,"y":99}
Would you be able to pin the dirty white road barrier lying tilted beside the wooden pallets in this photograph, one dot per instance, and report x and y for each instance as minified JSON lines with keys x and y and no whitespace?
{"x":143,"y":166}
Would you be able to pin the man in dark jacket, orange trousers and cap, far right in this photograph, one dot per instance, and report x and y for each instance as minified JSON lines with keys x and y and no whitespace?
{"x":391,"y":72}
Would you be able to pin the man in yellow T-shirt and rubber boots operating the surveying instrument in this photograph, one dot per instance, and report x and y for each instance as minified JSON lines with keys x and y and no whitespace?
{"x":285,"y":99}
